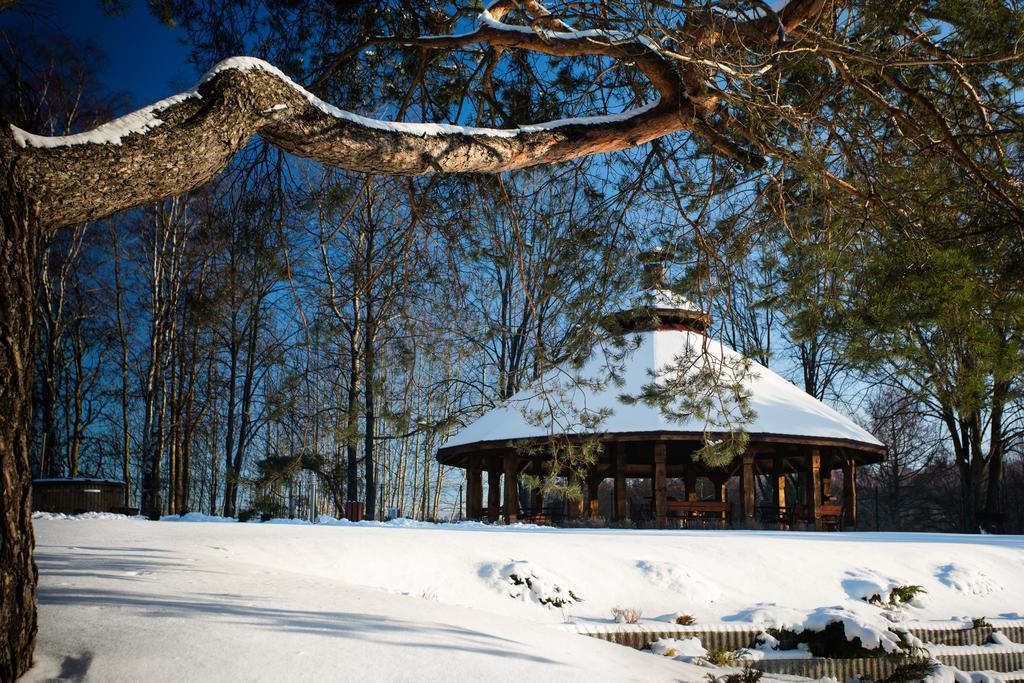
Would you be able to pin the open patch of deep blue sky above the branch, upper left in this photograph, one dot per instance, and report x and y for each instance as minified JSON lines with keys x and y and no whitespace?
{"x":144,"y":58}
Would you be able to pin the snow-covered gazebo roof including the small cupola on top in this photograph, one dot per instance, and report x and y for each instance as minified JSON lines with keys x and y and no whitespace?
{"x":669,"y":328}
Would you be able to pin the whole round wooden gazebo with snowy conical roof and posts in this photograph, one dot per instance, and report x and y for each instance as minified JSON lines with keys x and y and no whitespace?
{"x":794,"y":438}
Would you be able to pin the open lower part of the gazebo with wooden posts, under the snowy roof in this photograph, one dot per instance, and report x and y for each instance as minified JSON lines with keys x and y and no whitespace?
{"x":780,"y":483}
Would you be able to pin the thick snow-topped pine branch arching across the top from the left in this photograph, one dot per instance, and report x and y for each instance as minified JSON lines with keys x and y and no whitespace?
{"x":181,"y":143}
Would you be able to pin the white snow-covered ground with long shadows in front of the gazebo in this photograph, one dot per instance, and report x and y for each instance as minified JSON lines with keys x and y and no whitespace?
{"x":129,"y":600}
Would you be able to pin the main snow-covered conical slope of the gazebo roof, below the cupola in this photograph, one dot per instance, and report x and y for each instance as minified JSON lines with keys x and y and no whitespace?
{"x":552,"y":406}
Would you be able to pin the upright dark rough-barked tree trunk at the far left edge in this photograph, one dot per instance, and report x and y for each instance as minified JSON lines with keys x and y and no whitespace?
{"x":19,"y":263}
